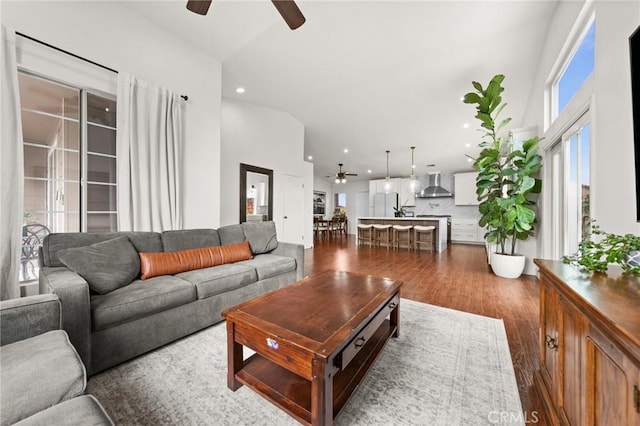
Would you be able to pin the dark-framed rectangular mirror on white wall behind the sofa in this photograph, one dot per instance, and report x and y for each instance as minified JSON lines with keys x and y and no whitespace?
{"x":256,"y":194}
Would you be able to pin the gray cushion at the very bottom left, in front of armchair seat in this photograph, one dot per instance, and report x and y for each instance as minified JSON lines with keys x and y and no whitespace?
{"x":83,"y":410}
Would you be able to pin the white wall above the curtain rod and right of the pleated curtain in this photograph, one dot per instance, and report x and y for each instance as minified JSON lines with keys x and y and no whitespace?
{"x":115,"y":36}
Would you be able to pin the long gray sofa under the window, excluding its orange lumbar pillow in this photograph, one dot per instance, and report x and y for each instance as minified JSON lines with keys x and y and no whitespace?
{"x":109,"y":320}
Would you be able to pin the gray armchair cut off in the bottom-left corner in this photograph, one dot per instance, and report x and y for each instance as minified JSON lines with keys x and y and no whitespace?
{"x":42,"y":379}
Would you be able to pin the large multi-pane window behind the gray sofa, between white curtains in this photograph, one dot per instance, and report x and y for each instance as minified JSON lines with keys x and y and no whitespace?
{"x":69,"y":163}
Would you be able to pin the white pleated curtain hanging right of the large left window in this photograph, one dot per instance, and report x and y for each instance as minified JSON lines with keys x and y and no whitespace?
{"x":149,"y":143}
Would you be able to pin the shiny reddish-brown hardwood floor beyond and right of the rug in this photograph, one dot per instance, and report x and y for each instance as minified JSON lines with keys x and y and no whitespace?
{"x":459,"y":278}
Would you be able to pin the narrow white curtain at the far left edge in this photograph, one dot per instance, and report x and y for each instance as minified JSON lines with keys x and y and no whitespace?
{"x":11,"y":169}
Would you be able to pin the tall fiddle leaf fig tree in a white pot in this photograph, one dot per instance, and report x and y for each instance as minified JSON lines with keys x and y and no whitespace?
{"x":506,"y":184}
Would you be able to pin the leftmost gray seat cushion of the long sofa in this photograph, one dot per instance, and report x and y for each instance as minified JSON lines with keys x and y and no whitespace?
{"x":140,"y":299}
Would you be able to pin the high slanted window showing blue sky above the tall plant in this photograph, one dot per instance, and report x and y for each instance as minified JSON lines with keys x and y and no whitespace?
{"x":576,"y":71}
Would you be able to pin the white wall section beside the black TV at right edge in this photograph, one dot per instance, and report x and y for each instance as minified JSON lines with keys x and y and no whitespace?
{"x":613,"y":155}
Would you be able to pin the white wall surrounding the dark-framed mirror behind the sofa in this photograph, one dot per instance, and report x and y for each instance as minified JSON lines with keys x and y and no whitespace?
{"x":266,"y":138}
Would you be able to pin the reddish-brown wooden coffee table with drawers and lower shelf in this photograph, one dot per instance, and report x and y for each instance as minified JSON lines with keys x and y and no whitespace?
{"x":315,"y":341}
